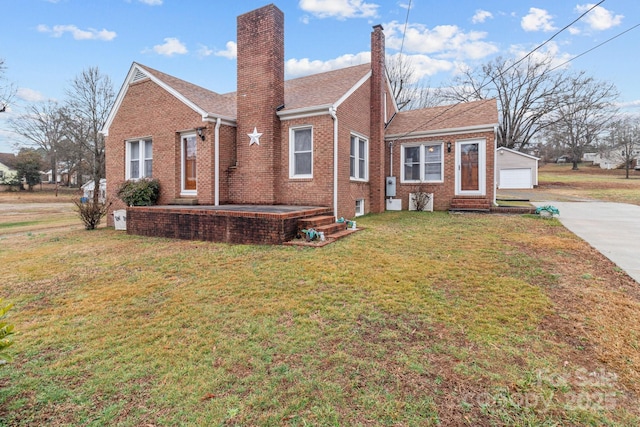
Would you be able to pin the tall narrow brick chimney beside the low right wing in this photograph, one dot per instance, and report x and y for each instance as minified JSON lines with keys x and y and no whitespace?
{"x":377,"y":145}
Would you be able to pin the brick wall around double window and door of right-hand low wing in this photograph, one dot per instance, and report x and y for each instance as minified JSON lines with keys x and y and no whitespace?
{"x":445,"y":191}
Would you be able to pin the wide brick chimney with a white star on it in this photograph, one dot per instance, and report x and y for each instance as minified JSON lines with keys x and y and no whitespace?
{"x":260,"y":92}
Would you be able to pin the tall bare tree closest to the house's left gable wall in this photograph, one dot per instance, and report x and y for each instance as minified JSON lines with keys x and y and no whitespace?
{"x":90,"y":99}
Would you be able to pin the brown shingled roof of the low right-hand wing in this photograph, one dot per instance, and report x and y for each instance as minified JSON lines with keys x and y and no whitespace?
{"x":457,"y":118}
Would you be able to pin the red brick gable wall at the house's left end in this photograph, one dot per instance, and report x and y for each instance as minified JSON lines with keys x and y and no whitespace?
{"x":146,"y":111}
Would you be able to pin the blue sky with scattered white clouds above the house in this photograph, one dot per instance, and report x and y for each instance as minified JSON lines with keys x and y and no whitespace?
{"x":45,"y":43}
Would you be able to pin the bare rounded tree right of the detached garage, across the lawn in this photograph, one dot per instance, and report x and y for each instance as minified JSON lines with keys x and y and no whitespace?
{"x":582,"y":114}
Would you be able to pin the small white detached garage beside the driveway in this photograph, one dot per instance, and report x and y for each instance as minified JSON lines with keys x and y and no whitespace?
{"x":515,"y":169}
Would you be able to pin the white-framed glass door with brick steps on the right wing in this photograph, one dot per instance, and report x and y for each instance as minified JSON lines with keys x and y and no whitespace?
{"x":470,"y":167}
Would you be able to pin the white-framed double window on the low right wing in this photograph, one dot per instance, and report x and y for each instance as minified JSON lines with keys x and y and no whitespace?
{"x":422,"y":163}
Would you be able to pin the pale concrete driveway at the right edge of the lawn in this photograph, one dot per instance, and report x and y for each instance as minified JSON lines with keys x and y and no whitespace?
{"x":611,"y":228}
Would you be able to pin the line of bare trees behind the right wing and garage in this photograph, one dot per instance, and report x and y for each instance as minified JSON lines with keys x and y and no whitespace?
{"x":543,"y":107}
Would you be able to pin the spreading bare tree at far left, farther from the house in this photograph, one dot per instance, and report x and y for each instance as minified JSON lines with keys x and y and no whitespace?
{"x":43,"y":127}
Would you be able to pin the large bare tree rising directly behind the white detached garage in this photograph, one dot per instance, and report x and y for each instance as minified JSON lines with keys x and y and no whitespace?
{"x":526,"y":91}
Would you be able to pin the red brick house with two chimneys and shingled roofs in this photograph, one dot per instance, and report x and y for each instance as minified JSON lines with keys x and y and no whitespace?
{"x":326,"y":140}
